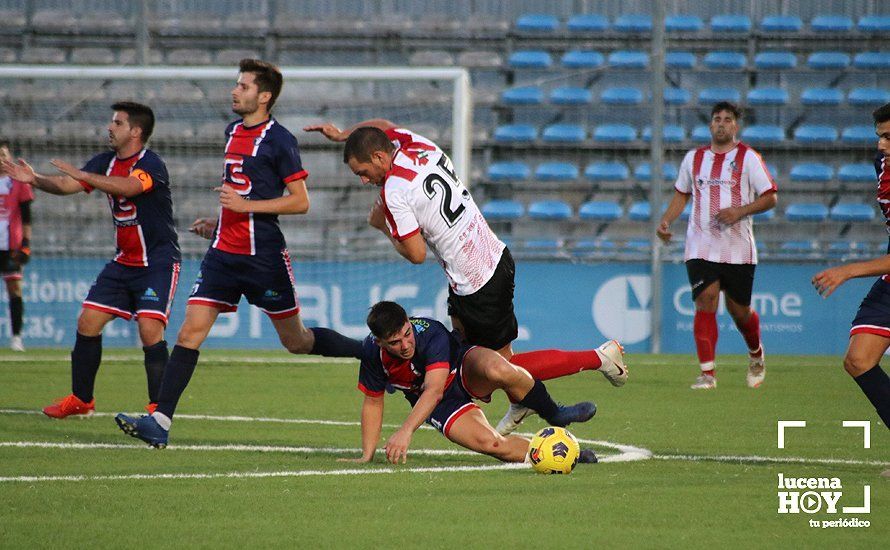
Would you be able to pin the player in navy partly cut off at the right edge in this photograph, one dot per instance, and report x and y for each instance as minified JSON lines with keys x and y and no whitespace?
{"x":870,"y":335}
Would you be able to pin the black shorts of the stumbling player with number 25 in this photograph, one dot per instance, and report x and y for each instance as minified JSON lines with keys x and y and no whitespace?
{"x":487,"y":314}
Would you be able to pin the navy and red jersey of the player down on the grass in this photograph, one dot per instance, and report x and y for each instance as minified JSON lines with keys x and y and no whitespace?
{"x":436,"y":348}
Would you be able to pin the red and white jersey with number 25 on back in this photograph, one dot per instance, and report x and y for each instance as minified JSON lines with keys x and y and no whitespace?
{"x":422,"y":193}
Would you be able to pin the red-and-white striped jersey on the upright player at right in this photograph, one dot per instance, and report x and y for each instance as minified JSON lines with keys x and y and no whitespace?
{"x":717,"y":181}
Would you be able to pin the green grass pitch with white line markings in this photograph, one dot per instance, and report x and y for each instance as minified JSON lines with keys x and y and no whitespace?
{"x":712,"y":481}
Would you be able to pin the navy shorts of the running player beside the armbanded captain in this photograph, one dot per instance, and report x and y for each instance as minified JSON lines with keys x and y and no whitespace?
{"x":266,"y":281}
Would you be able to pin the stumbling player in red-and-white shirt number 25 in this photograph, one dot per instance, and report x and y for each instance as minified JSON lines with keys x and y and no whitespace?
{"x":423,"y":203}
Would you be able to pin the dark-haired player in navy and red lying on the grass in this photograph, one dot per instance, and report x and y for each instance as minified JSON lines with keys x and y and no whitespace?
{"x":440,"y":376}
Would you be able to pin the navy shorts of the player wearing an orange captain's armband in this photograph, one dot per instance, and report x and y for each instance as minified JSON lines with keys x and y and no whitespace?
{"x":126,"y":291}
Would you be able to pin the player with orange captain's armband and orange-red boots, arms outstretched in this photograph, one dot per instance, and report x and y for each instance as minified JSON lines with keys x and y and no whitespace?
{"x":141,"y":279}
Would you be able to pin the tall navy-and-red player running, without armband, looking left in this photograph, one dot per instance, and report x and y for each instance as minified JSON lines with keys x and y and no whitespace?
{"x":247,"y":256}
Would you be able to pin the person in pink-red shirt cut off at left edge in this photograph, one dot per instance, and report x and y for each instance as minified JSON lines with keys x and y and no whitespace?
{"x":15,"y":242}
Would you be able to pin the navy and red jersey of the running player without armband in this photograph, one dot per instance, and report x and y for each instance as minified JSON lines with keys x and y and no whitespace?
{"x":260,"y":160}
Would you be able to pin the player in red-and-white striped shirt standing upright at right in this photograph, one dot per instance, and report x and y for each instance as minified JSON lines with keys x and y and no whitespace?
{"x":728,"y":183}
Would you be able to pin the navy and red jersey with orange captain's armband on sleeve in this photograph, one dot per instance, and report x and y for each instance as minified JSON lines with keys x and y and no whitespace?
{"x":143,"y":224}
